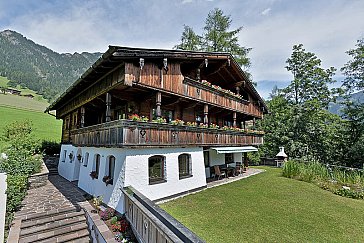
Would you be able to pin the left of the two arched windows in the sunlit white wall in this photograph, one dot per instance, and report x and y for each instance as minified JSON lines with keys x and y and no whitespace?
{"x":156,"y":169}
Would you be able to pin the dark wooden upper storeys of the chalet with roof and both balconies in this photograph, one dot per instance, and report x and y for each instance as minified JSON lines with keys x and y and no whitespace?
{"x":206,"y":88}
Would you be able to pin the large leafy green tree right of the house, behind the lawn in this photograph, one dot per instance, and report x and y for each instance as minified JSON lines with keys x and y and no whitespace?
{"x":298,"y":116}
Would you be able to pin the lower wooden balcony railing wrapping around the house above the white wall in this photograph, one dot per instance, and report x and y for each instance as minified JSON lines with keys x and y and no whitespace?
{"x":125,"y":133}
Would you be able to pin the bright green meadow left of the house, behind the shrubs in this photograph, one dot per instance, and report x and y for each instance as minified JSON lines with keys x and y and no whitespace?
{"x":45,"y":126}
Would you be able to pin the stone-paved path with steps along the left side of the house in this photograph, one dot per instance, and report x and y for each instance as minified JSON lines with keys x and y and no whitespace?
{"x":51,"y":213}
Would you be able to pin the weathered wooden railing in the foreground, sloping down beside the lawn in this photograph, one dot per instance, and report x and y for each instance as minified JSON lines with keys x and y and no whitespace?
{"x":150,"y":223}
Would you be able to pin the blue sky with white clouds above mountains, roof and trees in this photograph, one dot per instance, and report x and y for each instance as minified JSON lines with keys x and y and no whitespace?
{"x":271,"y":27}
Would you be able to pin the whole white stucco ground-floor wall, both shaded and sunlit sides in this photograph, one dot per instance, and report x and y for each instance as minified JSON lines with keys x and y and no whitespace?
{"x":131,"y":169}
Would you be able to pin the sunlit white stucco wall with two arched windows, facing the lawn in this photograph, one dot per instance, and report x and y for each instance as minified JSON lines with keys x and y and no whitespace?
{"x":137,"y":174}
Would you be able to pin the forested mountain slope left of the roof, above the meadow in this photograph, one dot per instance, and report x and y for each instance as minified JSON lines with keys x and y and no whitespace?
{"x":38,"y":68}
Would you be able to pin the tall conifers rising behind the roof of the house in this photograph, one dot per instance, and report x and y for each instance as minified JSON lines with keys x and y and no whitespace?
{"x":216,"y":38}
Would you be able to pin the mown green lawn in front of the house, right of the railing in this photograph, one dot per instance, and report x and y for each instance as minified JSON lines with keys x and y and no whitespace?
{"x":270,"y":208}
